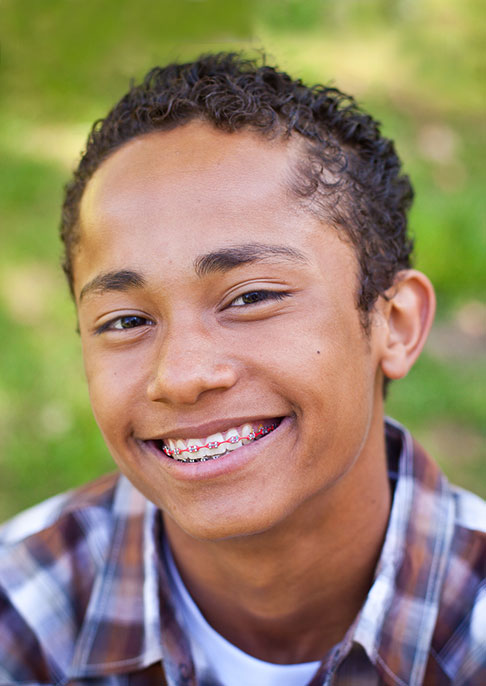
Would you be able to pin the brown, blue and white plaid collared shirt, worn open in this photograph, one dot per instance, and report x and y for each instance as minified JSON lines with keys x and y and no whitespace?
{"x":84,"y":595}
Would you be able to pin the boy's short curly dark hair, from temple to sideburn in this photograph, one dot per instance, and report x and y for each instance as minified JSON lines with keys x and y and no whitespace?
{"x":347,"y":172}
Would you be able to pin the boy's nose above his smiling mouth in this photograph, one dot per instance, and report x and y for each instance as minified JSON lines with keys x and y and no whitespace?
{"x":188,"y":365}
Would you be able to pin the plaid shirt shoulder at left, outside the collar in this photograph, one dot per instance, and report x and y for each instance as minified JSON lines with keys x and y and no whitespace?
{"x":49,"y":558}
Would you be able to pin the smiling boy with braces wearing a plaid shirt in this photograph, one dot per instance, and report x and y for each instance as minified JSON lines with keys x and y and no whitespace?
{"x":236,"y":246}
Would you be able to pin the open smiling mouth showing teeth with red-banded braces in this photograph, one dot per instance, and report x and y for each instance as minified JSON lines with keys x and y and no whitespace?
{"x":218,"y":444}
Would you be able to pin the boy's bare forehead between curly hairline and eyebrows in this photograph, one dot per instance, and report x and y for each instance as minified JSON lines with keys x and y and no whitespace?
{"x":171,"y":196}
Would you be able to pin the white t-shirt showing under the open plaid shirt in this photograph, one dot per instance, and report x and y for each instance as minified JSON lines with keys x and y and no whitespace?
{"x":216,"y":660}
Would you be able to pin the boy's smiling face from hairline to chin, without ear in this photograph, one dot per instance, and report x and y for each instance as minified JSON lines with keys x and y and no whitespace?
{"x":186,"y":348}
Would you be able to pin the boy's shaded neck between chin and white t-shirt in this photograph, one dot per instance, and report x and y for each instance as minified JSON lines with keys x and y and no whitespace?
{"x":289,"y":594}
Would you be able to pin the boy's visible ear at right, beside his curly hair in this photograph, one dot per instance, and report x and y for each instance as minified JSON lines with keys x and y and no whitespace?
{"x":408,"y":309}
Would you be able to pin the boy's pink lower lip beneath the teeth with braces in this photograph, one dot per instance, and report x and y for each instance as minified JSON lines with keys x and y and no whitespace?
{"x":227,"y":463}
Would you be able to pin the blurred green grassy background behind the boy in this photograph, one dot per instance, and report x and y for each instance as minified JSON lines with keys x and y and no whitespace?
{"x":415,"y":64}
